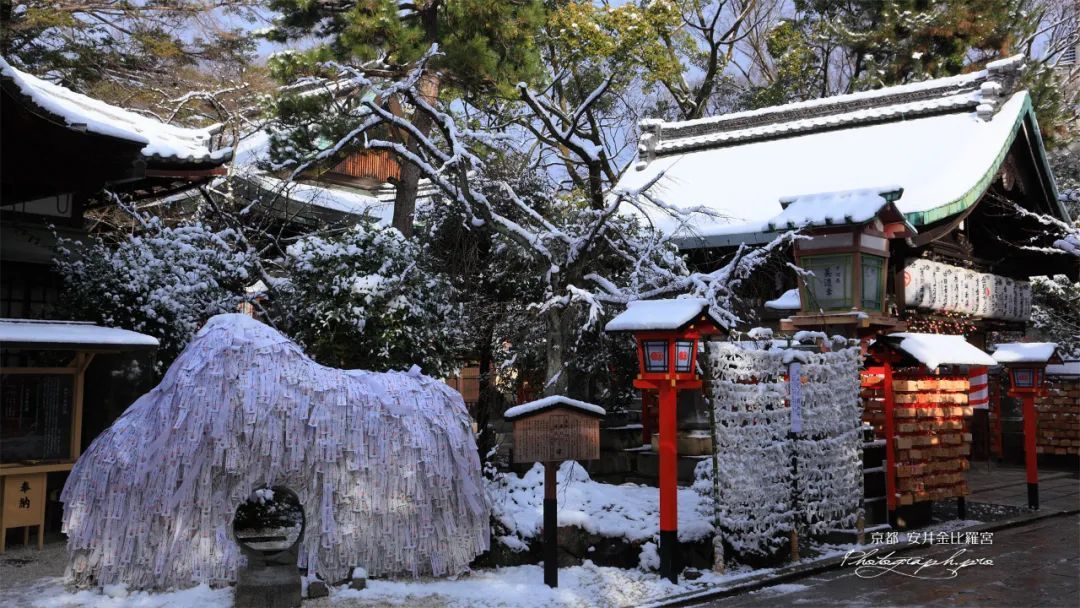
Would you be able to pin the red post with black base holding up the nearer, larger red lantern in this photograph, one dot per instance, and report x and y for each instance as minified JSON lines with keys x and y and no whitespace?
{"x":669,"y":487}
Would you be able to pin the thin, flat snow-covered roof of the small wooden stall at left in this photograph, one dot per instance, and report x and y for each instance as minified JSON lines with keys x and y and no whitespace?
{"x":71,"y":335}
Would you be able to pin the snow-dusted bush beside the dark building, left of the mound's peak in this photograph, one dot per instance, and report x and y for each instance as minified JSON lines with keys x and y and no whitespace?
{"x":164,"y":280}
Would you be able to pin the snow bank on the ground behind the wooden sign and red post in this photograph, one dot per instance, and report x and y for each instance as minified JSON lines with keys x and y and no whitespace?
{"x":629,"y":510}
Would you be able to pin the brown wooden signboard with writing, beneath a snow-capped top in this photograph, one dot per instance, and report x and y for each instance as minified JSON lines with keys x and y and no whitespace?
{"x":557,"y":435}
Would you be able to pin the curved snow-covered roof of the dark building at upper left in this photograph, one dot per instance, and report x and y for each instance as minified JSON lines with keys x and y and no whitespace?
{"x":160,"y":141}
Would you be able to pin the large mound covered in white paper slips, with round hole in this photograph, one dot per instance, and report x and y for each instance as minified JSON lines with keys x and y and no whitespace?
{"x":384,"y":465}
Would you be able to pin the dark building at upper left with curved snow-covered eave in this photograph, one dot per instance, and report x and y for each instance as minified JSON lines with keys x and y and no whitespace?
{"x":61,"y":153}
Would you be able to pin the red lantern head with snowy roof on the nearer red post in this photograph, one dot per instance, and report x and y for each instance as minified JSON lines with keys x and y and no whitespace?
{"x":668,"y":333}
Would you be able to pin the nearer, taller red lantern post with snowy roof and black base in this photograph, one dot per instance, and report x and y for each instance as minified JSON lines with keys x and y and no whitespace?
{"x":668,"y":334}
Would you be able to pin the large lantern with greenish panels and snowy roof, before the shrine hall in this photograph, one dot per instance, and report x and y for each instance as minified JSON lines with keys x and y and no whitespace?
{"x":848,"y":247}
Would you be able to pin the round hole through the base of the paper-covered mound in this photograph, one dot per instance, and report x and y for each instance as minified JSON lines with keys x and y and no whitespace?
{"x":271,"y":521}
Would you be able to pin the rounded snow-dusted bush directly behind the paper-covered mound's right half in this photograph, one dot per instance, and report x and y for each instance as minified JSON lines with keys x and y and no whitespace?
{"x":364,"y":300}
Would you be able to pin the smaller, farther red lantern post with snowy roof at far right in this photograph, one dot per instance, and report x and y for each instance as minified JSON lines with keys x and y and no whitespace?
{"x":1027,"y":363}
